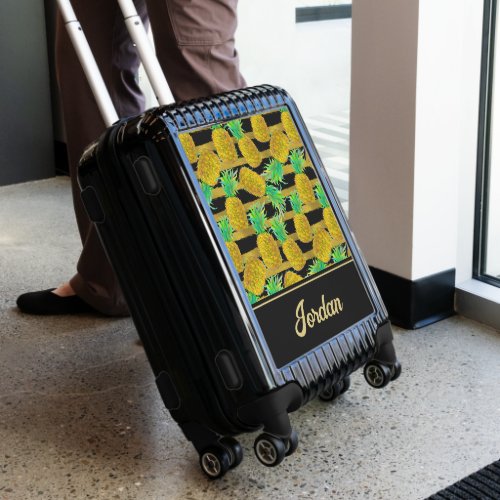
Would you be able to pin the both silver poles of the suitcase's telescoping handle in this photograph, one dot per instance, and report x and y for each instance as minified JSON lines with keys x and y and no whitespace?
{"x":146,"y":54}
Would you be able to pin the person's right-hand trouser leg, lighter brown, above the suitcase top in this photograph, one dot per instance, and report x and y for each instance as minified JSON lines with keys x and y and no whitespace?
{"x":195,"y":45}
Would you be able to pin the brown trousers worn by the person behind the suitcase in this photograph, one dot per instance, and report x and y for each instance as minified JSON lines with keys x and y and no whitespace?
{"x":194,"y":42}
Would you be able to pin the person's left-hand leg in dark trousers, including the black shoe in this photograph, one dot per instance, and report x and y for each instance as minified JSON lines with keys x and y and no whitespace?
{"x":103,"y":25}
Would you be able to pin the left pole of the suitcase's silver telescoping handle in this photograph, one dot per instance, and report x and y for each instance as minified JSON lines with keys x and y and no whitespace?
{"x":88,"y":63}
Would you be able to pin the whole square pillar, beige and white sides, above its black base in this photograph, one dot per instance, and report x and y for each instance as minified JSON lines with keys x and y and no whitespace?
{"x":414,"y":133}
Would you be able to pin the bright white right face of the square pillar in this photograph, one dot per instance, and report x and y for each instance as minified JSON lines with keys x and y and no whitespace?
{"x":437,"y":136}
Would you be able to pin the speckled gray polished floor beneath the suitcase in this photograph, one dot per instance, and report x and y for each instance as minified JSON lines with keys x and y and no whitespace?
{"x":80,"y":416}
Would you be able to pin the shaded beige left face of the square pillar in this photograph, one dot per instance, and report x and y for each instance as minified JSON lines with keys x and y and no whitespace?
{"x":382,"y":150}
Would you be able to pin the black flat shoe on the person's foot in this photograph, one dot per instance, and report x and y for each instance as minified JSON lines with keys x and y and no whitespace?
{"x":48,"y":303}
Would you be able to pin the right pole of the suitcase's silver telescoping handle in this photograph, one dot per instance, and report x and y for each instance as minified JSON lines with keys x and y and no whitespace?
{"x":147,"y":55}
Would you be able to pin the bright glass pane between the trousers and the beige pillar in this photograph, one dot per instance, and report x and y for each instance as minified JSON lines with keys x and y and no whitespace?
{"x":304,"y":46}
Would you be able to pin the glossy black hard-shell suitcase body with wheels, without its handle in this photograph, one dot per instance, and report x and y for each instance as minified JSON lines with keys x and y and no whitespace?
{"x":243,"y":279}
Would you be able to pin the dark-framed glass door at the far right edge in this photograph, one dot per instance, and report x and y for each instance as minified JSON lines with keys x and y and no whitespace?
{"x":487,"y":232}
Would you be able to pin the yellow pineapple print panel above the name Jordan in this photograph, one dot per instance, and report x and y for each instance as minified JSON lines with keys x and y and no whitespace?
{"x":268,"y":202}
